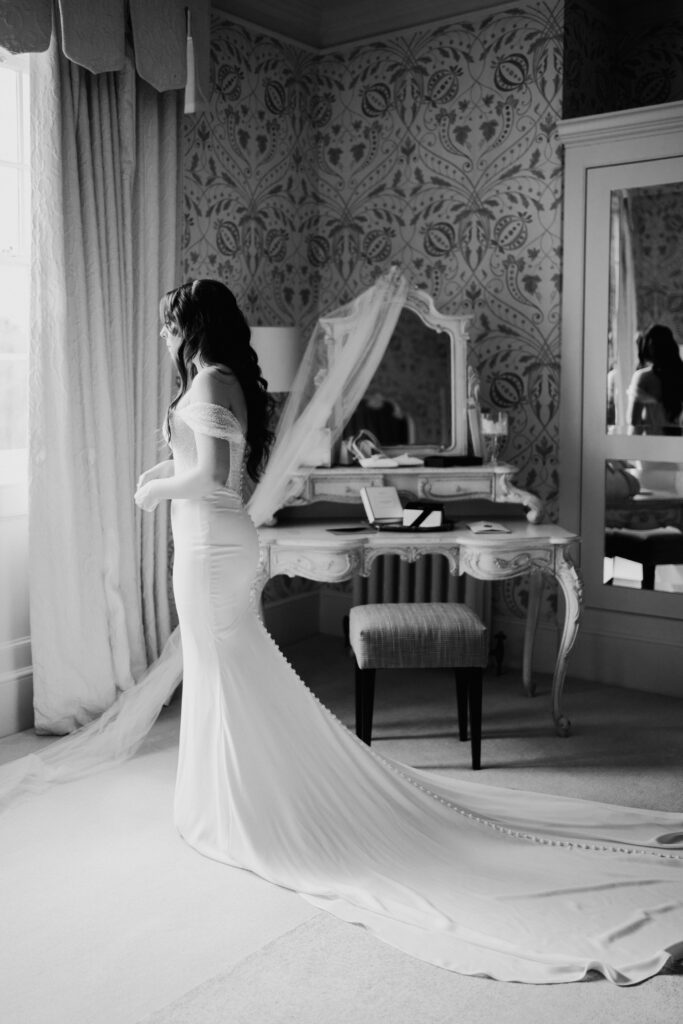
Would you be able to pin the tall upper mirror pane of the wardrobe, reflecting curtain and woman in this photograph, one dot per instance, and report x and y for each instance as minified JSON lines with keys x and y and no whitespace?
{"x":646,"y":374}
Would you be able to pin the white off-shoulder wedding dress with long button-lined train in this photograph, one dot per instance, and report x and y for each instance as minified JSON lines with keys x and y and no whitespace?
{"x":516,"y":886}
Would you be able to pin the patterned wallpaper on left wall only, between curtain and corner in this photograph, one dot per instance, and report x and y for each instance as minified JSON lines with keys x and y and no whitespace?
{"x":249,"y":190}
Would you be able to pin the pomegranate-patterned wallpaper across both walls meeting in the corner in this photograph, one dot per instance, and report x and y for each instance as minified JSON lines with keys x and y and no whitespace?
{"x":434,"y":148}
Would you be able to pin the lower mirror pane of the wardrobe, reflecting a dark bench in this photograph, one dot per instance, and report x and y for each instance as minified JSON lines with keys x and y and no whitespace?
{"x":644,"y":546}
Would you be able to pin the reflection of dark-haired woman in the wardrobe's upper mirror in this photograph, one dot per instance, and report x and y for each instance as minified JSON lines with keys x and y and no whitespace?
{"x":656,"y":392}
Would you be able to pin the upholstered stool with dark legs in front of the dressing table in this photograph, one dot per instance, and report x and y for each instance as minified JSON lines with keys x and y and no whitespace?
{"x":437,"y":635}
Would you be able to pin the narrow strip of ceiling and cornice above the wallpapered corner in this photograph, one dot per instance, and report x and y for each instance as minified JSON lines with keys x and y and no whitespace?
{"x":322,"y":24}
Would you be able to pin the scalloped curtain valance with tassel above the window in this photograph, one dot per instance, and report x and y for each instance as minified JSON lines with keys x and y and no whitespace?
{"x":94,"y":35}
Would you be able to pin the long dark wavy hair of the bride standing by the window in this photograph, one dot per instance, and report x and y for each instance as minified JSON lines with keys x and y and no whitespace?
{"x":215,"y":330}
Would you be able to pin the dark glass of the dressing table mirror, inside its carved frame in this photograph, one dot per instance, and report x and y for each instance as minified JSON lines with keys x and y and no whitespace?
{"x":409,"y":400}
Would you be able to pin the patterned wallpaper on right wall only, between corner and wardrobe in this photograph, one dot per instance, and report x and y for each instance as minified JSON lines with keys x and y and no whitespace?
{"x":438,"y":151}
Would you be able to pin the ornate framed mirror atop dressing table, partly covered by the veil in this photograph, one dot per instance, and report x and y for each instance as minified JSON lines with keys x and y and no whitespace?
{"x":417,"y":401}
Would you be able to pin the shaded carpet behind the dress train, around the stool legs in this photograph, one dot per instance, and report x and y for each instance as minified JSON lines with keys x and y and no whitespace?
{"x":626,"y":746}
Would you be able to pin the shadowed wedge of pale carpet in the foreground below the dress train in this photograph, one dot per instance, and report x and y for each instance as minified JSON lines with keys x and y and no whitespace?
{"x":329,"y":971}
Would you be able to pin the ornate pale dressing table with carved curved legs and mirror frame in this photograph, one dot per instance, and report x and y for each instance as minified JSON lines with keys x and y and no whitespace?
{"x":437,"y":404}
